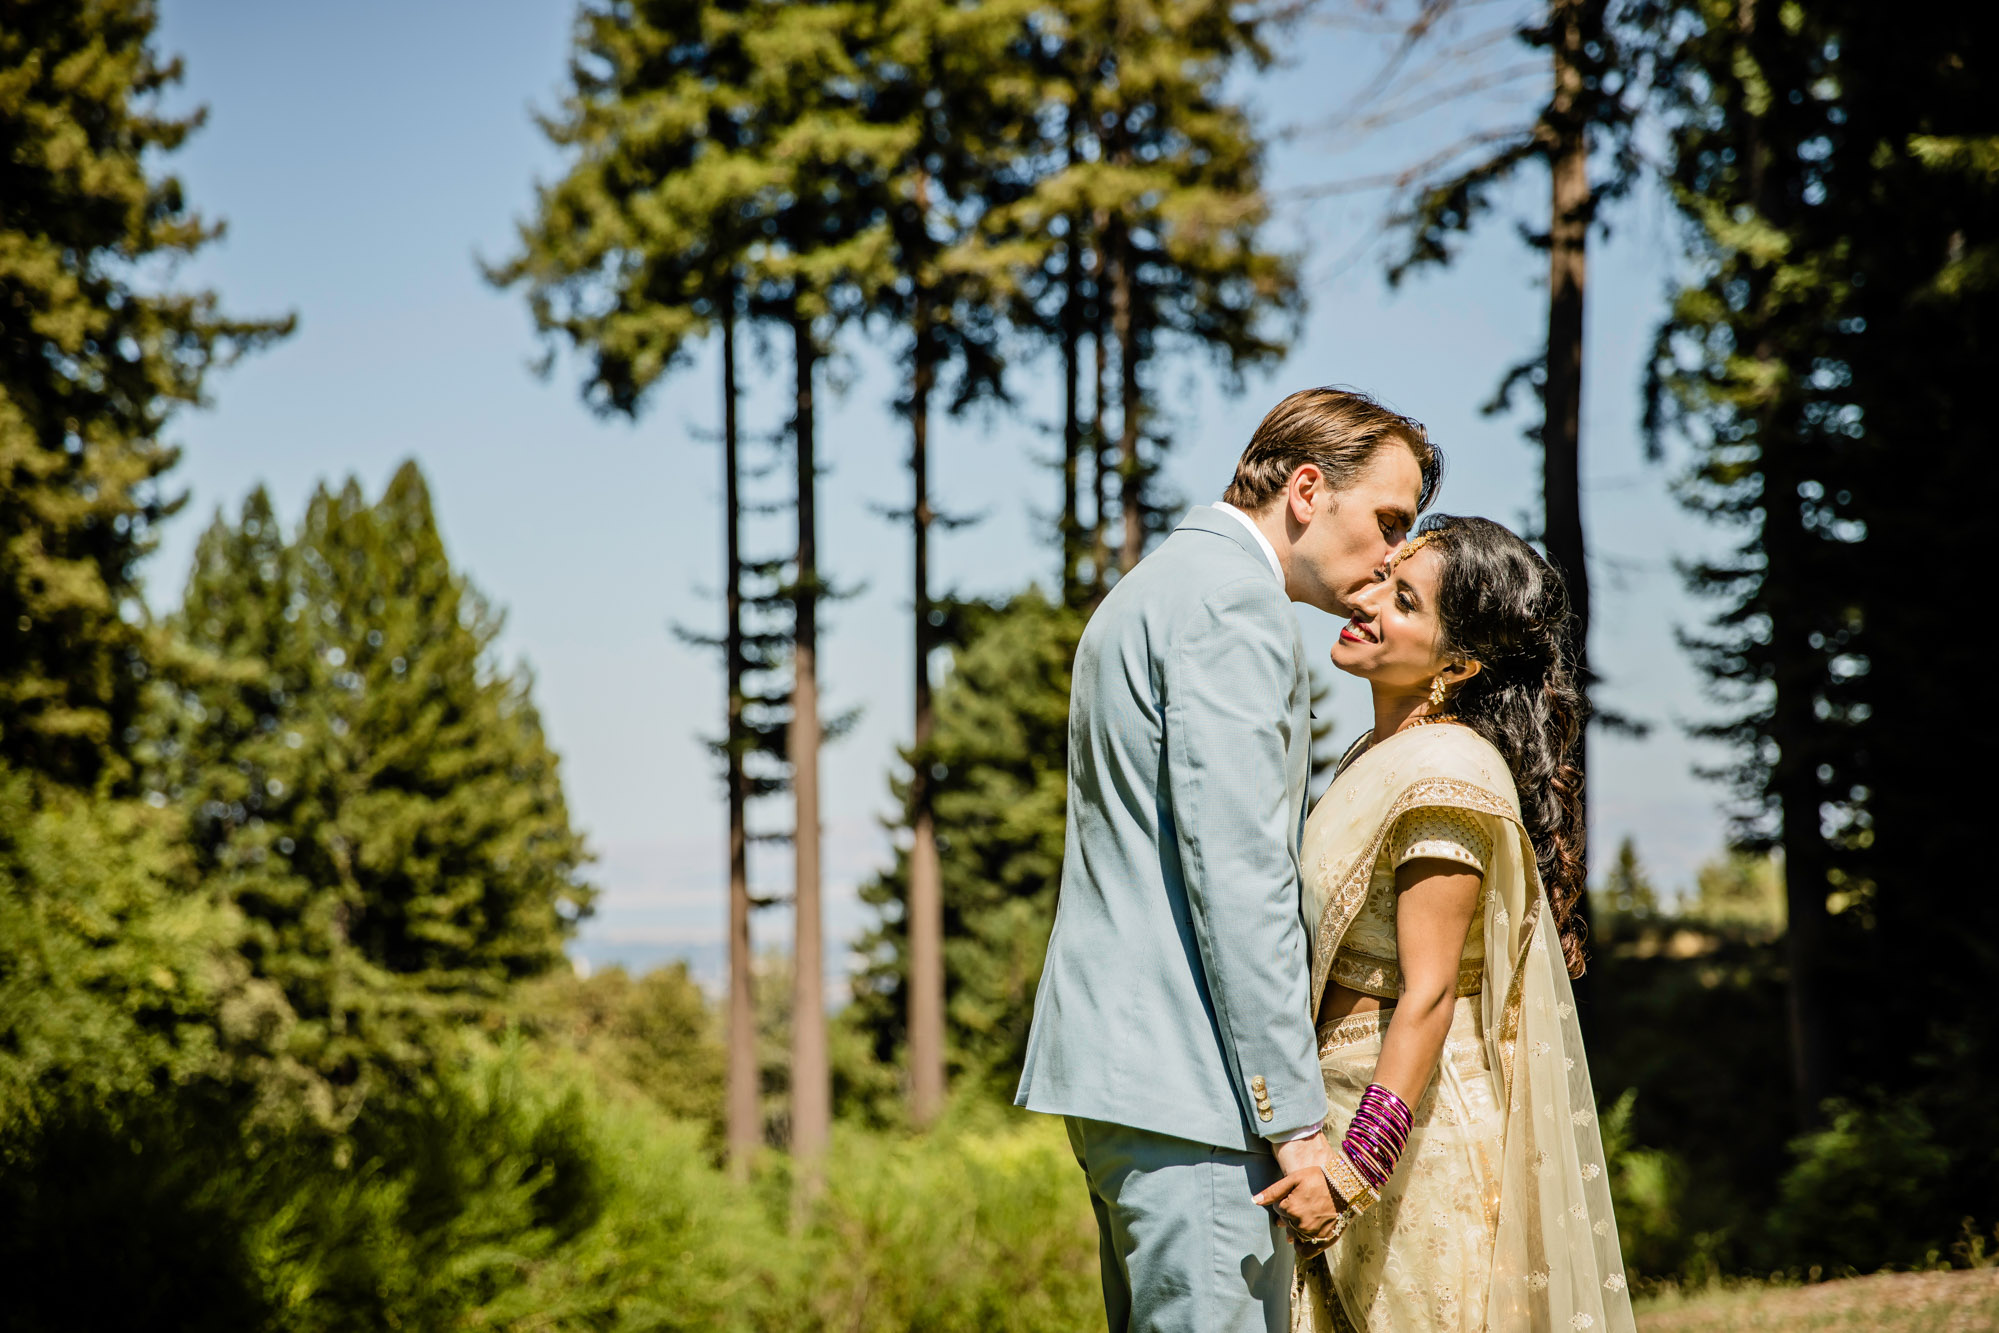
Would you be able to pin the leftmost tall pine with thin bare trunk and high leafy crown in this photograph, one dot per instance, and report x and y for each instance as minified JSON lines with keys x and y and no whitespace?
{"x":633,"y":257}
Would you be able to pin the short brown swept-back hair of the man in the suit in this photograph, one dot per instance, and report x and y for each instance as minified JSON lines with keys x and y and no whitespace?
{"x":1336,"y":431}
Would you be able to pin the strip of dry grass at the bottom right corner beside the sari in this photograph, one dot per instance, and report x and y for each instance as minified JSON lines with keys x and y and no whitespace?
{"x":1962,"y":1302}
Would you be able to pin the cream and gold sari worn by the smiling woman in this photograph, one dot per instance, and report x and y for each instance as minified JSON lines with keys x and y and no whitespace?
{"x":1498,"y":1216}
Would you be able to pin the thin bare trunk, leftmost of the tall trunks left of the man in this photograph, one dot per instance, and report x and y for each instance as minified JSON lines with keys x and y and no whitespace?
{"x":745,"y":1118}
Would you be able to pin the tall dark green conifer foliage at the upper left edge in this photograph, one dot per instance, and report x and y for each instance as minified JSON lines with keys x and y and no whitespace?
{"x":97,"y":359}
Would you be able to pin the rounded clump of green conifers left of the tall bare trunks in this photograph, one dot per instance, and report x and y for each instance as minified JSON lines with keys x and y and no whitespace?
{"x":361,"y":778}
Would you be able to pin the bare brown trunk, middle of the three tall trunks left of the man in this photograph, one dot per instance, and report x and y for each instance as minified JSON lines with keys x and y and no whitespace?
{"x":813,"y":1094}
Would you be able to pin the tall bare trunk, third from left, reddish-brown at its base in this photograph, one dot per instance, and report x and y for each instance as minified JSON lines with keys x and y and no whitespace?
{"x":927,"y":880}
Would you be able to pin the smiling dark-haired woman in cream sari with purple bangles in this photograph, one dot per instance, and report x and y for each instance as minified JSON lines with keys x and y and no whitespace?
{"x":1442,"y":868}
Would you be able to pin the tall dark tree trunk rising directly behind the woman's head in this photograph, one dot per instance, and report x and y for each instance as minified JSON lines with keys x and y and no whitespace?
{"x":1562,"y":495}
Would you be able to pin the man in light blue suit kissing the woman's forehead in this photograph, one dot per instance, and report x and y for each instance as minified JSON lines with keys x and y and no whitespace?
{"x":1172,"y":1026}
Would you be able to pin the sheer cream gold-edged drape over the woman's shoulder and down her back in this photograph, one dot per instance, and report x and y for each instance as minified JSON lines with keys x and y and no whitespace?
{"x":1556,"y":1264}
